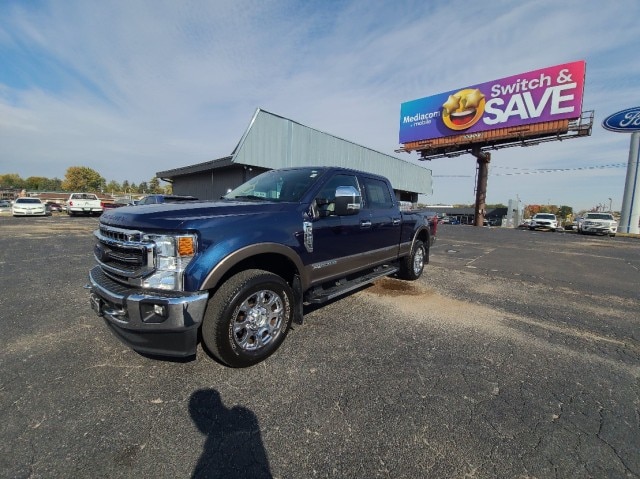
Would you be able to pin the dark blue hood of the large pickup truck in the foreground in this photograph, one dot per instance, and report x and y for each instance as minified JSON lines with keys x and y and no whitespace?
{"x":182,"y":216}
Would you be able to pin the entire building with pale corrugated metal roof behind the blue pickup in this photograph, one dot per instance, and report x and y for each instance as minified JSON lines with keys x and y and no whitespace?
{"x":272,"y":141}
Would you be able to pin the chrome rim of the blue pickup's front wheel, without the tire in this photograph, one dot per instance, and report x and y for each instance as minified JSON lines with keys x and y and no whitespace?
{"x":259,"y":320}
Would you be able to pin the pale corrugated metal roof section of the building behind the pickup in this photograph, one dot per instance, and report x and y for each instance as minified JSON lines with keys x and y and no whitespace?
{"x":272,"y":141}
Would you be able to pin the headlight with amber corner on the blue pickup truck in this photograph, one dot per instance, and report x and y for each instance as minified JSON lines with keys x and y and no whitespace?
{"x":172,"y":255}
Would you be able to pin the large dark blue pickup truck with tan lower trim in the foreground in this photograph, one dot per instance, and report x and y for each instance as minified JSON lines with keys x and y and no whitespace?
{"x":237,"y":271}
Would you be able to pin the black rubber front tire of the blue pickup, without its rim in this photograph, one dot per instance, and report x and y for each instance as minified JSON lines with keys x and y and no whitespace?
{"x":217,"y":327}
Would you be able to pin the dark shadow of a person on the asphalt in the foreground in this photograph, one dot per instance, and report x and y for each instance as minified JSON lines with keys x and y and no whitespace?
{"x":233,"y":446}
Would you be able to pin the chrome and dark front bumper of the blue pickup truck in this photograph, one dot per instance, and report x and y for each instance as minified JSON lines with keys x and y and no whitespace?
{"x":151,"y":322}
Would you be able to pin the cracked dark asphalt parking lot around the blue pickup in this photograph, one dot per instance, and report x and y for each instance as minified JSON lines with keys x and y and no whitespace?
{"x":517,"y":354}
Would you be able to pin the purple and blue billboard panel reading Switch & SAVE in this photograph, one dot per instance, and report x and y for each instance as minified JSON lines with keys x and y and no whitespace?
{"x":545,"y":95}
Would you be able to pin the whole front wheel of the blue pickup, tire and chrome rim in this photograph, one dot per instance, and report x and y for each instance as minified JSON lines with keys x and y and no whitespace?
{"x":237,"y":341}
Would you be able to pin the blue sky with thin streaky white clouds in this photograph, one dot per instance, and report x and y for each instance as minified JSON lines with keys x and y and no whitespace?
{"x":132,"y":87}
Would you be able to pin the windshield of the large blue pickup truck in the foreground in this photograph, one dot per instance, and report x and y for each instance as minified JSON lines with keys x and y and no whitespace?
{"x":277,"y":185}
